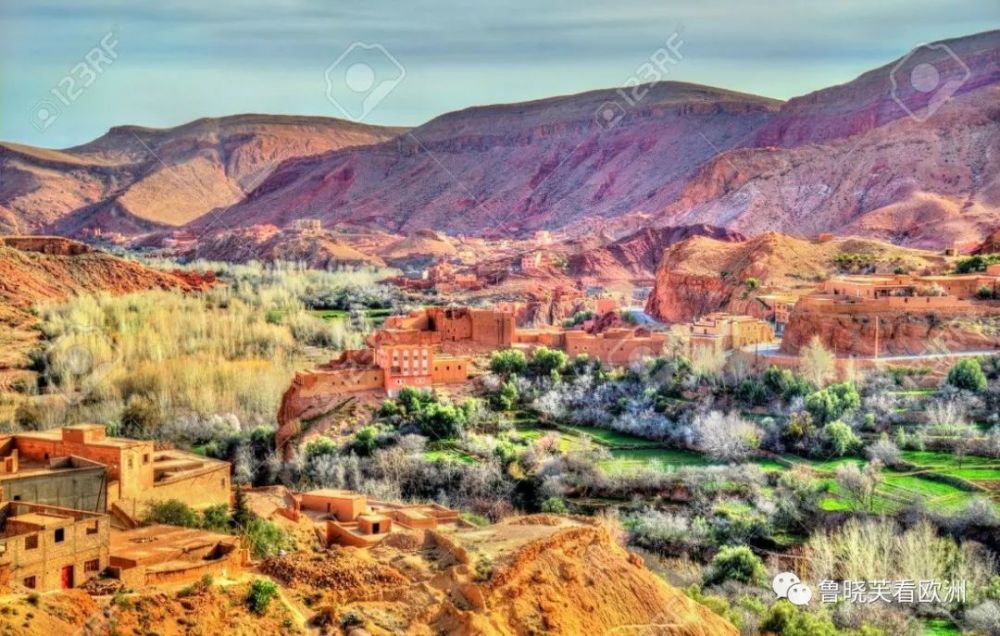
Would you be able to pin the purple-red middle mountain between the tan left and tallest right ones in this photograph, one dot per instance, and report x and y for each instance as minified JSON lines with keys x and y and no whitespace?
{"x":512,"y":168}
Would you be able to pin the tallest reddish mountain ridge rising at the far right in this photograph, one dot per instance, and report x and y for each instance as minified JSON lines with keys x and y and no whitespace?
{"x":850,"y":160}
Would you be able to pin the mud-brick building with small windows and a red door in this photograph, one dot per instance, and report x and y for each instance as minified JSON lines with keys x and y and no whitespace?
{"x":49,"y":548}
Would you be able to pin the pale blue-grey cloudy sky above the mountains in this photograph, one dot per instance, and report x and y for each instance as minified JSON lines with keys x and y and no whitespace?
{"x":71,"y":69}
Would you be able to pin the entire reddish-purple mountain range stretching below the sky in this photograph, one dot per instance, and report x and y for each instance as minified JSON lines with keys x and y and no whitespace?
{"x":873,"y":157}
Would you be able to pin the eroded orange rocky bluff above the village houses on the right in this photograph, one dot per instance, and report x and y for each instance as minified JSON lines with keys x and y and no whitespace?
{"x":702,"y":274}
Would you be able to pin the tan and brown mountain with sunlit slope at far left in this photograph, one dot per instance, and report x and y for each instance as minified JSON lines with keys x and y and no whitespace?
{"x":134,"y":179}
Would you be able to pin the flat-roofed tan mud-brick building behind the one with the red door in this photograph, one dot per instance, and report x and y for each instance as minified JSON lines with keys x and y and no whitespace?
{"x":137,"y":473}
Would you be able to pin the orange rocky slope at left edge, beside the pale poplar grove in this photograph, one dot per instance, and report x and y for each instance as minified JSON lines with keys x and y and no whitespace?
{"x":45,"y":269}
